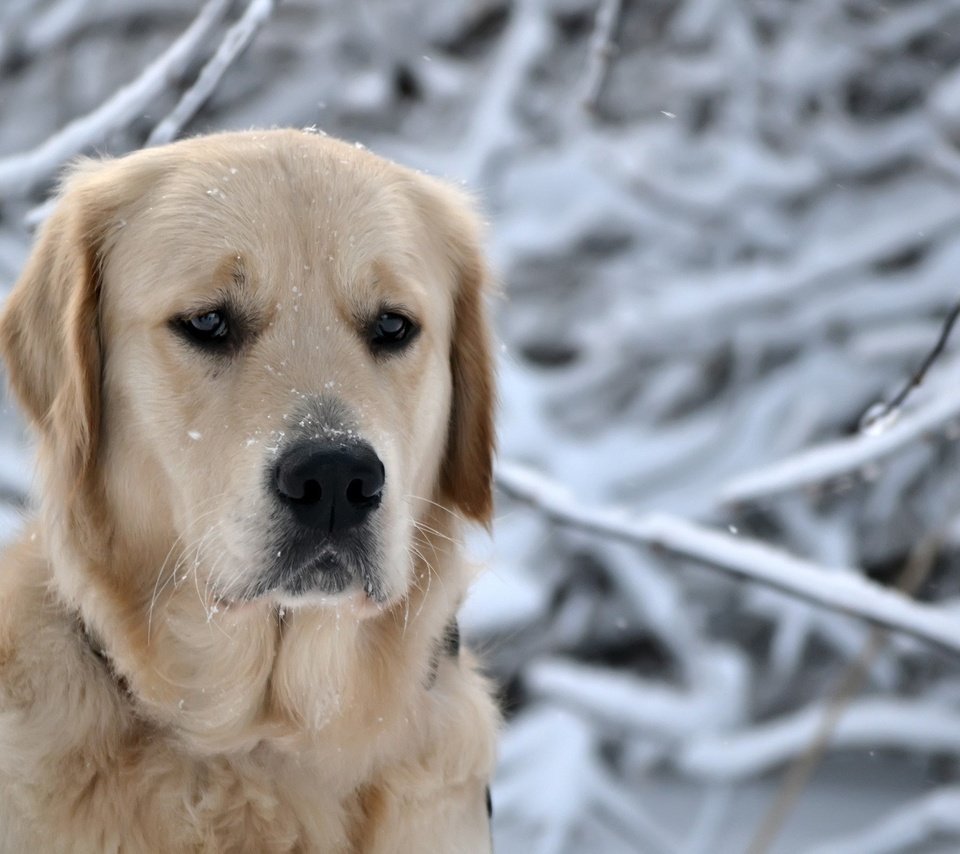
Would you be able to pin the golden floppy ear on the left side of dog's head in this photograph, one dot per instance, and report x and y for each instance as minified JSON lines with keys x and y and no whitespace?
{"x":49,"y":331}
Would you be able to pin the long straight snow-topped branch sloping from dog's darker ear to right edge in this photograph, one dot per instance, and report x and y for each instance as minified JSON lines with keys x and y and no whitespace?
{"x":838,"y":588}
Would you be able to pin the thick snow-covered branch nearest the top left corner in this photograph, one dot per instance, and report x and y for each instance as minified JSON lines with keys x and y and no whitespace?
{"x":21,"y":173}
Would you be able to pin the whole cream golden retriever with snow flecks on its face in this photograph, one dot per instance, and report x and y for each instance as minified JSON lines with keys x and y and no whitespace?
{"x":259,"y":368}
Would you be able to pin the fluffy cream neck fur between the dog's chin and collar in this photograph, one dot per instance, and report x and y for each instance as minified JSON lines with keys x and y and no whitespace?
{"x":227,"y":681}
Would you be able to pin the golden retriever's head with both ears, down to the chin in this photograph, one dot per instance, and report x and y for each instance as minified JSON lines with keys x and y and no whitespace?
{"x":268,"y":355}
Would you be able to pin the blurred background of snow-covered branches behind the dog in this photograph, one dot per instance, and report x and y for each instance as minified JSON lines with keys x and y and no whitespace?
{"x":725,"y":229}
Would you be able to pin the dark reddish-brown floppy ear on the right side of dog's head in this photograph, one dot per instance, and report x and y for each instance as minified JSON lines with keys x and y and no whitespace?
{"x":466,"y":474}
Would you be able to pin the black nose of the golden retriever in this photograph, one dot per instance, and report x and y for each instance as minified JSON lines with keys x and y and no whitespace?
{"x":331,"y":488}
